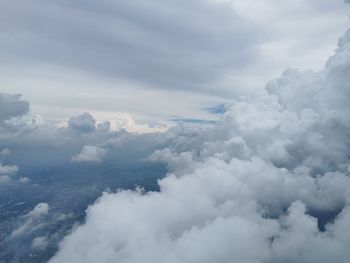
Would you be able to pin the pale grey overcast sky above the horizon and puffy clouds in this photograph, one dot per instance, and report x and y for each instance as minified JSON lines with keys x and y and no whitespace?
{"x":157,"y":60}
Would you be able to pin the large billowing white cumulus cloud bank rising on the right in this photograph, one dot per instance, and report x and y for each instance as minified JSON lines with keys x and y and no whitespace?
{"x":269,"y":183}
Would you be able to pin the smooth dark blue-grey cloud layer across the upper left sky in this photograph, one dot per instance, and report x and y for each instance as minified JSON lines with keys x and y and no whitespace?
{"x":163,"y":44}
